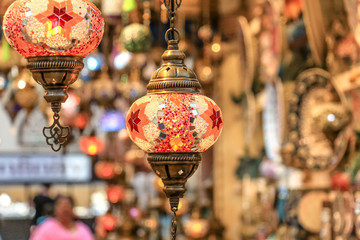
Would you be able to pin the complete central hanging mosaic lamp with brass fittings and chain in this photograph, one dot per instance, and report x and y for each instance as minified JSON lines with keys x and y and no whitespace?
{"x":174,"y":122}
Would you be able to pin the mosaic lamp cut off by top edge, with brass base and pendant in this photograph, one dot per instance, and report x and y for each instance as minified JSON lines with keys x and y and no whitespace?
{"x":54,"y":36}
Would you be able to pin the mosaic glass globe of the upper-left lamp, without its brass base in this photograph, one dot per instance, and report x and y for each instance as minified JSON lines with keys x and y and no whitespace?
{"x":53,"y":27}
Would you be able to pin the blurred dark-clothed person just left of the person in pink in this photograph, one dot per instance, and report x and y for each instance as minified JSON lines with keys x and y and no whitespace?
{"x":44,"y":206}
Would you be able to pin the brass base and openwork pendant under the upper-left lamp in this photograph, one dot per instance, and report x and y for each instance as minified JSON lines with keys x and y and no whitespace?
{"x":55,"y":74}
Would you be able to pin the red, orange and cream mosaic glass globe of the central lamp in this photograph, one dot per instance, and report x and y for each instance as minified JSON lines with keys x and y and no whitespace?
{"x":179,"y":122}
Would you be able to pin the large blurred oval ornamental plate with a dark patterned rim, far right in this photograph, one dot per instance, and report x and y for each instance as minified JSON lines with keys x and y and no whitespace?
{"x":318,"y":122}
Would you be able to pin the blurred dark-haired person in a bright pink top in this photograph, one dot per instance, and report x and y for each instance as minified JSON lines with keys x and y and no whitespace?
{"x":63,"y":226}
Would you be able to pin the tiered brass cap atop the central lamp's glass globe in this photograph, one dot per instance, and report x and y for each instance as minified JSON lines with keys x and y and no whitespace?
{"x":173,"y":75}
